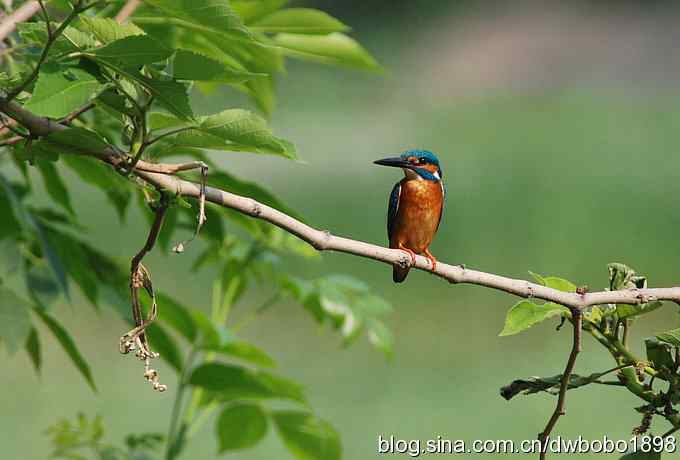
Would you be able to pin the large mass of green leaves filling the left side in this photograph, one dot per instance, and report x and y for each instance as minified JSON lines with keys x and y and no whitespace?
{"x":124,"y":89}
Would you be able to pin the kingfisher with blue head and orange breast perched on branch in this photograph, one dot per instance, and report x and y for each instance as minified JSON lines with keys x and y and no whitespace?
{"x":415,"y":206}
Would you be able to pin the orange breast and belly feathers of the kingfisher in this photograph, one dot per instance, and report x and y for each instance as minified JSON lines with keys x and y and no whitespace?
{"x":420,"y":208}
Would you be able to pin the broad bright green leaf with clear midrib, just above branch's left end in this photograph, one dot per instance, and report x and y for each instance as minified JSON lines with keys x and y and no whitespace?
{"x":61,"y":90}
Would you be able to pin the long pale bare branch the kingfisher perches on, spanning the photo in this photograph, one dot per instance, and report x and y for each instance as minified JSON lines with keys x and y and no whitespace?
{"x":159,"y":175}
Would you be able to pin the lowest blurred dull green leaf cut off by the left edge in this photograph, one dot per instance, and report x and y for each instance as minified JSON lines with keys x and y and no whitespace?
{"x":15,"y":322}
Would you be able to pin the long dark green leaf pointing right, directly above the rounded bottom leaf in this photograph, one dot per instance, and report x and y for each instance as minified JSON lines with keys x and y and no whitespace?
{"x":234,"y":382}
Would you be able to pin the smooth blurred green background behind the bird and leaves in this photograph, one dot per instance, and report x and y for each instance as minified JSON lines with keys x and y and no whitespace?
{"x":558,"y":131}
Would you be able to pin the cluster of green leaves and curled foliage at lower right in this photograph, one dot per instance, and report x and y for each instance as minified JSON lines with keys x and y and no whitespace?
{"x":610,"y":326}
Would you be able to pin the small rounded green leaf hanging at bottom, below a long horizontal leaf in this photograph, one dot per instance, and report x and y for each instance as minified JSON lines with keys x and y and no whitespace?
{"x":240,"y":426}
